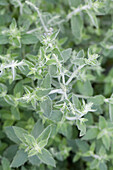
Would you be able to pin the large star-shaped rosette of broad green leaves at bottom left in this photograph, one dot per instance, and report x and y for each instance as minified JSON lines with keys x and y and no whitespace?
{"x":32,"y":145}
